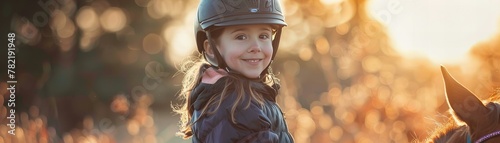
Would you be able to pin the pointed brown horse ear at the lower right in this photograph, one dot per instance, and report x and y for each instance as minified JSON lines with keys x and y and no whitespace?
{"x":464,"y":103}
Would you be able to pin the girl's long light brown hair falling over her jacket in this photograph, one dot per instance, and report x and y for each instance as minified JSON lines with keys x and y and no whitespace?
{"x":193,"y":70}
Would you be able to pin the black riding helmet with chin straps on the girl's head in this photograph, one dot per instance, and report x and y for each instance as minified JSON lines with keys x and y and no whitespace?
{"x":218,"y":13}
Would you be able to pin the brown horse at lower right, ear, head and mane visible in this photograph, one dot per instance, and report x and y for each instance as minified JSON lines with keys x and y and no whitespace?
{"x":472,"y":120}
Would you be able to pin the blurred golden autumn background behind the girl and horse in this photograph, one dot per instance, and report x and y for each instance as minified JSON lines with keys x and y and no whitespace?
{"x":351,"y":70}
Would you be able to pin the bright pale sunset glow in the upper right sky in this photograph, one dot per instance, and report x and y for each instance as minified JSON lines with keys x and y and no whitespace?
{"x":442,"y":31}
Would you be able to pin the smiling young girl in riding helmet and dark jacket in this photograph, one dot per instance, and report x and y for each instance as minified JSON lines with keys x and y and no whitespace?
{"x":230,"y":94}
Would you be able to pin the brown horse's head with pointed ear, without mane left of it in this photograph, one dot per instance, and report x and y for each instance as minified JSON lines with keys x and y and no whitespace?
{"x":482,"y":120}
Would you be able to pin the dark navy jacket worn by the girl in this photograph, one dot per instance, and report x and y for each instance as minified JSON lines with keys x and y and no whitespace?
{"x":255,"y":124}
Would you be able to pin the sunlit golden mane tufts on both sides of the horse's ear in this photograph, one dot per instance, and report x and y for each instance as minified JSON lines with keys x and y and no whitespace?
{"x":452,"y":126}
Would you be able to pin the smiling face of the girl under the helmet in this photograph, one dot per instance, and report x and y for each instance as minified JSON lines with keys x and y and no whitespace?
{"x":246,"y":49}
